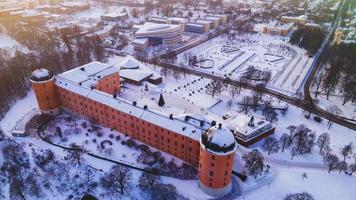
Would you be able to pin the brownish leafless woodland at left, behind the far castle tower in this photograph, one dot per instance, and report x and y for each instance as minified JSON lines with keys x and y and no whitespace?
{"x":40,"y":48}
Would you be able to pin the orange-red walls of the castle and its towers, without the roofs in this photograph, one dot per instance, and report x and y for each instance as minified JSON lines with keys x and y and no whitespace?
{"x":51,"y":96}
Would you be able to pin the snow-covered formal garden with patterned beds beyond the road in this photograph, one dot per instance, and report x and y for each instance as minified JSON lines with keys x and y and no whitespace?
{"x":288,"y":64}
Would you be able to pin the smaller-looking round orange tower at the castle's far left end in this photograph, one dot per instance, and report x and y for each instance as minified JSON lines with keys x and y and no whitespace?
{"x":43,"y":85}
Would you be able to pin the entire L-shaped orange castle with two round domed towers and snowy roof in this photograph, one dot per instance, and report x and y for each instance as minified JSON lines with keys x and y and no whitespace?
{"x":90,"y":91}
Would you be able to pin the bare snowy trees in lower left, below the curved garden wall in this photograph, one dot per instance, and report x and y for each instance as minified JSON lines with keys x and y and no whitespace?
{"x":31,"y":173}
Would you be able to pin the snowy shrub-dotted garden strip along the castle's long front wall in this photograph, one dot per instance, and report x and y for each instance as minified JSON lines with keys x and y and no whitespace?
{"x":98,"y":140}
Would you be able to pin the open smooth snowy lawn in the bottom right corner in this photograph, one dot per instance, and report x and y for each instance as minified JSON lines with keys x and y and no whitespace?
{"x":320,"y":184}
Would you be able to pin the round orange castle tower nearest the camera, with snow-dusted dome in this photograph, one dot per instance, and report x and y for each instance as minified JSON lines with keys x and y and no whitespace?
{"x":217,"y":151}
